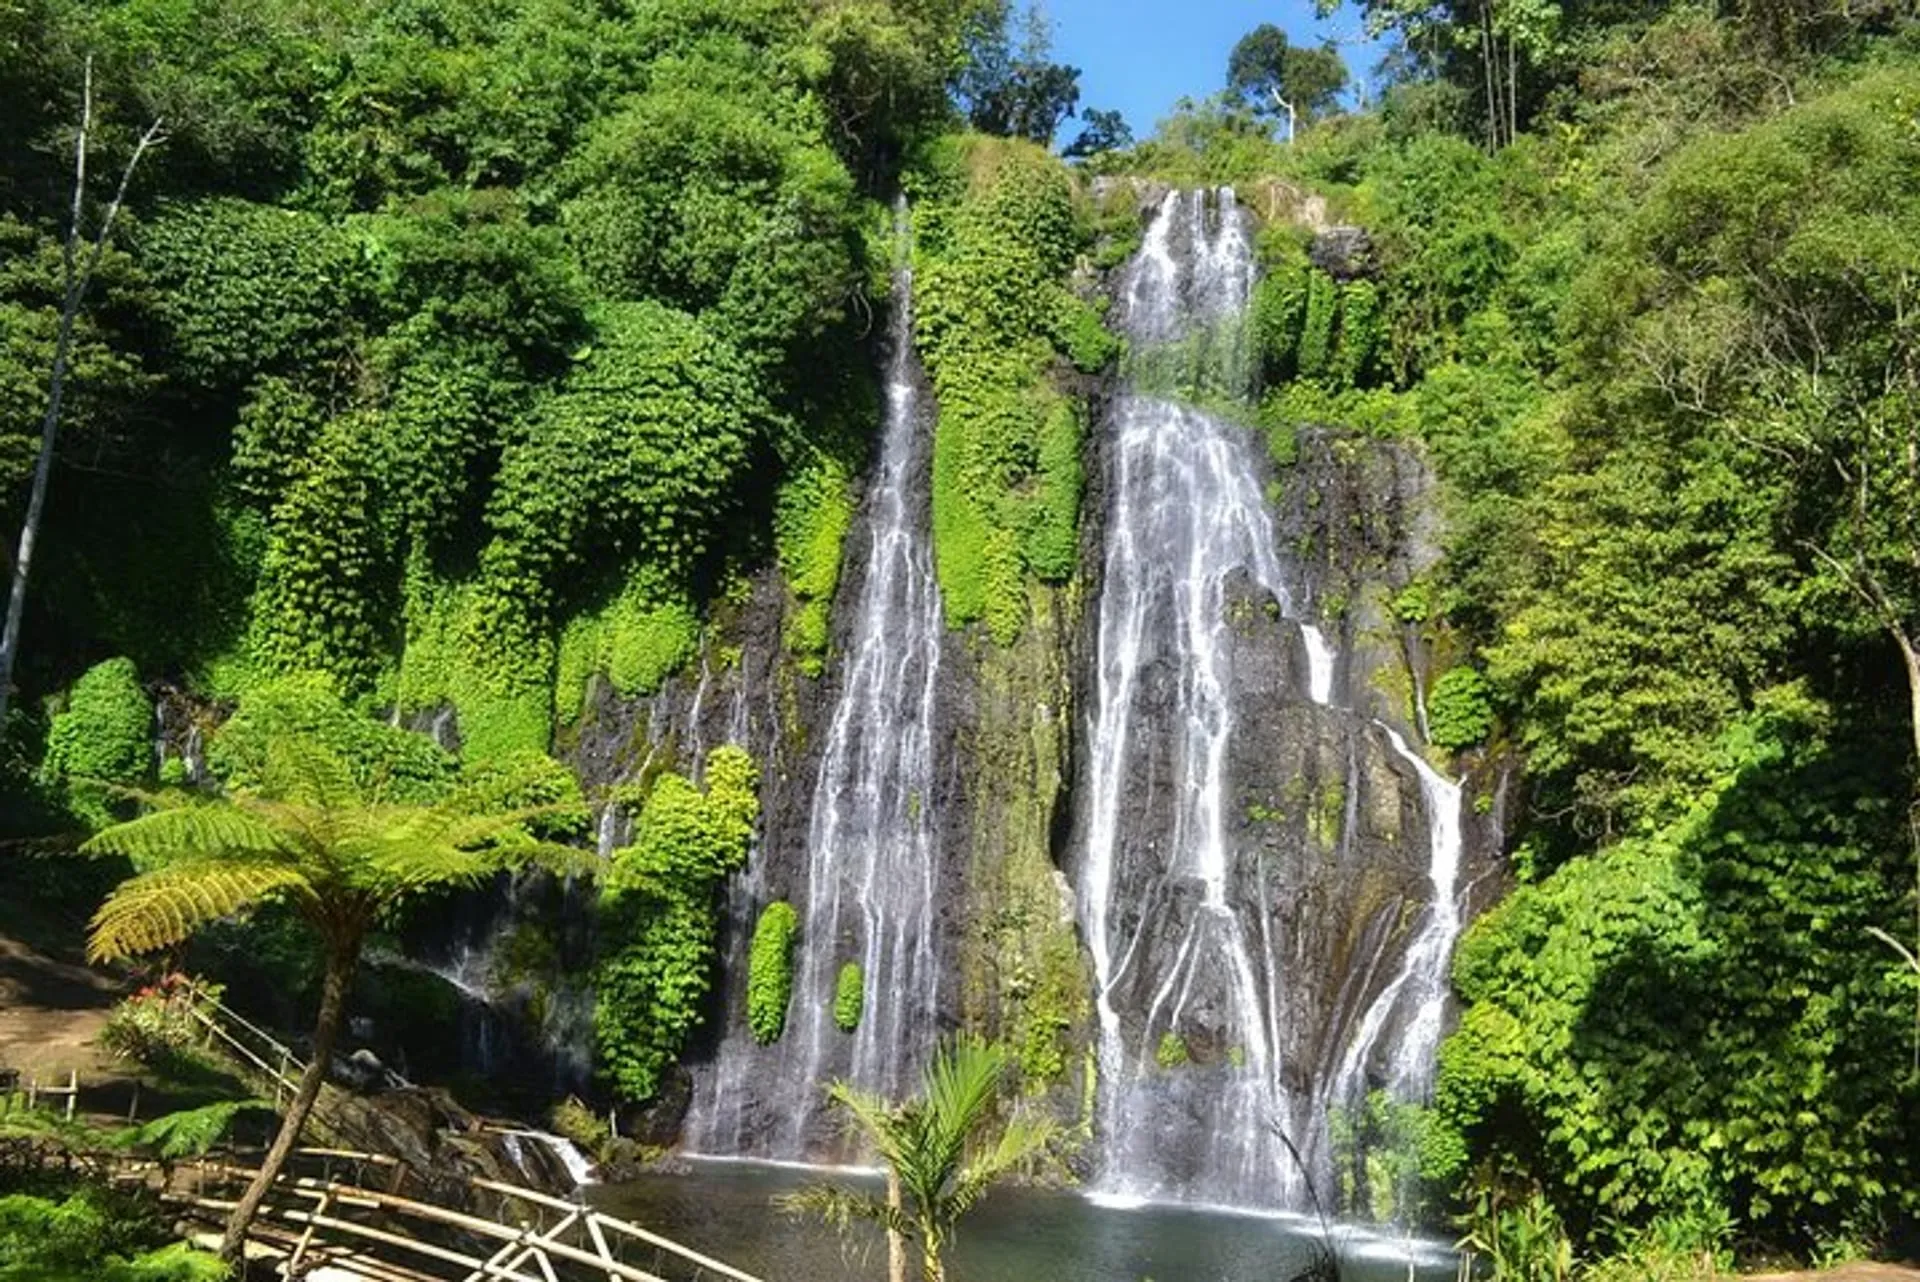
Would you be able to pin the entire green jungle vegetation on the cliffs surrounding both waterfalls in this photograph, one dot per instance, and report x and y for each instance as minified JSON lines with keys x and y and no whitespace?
{"x":468,"y":354}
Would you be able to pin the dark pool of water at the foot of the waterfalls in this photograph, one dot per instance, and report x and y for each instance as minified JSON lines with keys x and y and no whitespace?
{"x":725,"y":1208}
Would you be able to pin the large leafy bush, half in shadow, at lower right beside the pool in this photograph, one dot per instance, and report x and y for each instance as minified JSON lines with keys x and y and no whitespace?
{"x":1712,"y":978}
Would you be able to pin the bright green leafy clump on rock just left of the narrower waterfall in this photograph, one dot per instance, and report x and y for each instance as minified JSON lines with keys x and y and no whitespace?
{"x":661,"y":916}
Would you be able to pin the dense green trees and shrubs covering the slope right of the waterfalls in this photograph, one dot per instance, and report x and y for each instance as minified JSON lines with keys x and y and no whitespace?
{"x":1635,"y":287}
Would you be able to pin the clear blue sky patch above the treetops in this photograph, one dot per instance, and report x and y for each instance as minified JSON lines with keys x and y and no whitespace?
{"x":1141,"y":57}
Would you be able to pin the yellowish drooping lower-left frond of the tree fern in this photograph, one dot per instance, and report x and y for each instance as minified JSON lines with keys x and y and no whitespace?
{"x":164,"y":907}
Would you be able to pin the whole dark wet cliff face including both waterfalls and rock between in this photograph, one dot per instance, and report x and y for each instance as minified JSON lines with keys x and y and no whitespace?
{"x":1176,"y":845}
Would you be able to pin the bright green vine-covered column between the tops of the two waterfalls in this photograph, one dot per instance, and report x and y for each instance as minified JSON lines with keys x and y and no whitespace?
{"x":997,"y":235}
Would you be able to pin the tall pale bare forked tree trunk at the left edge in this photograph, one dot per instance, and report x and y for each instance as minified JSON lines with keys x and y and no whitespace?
{"x":76,"y":279}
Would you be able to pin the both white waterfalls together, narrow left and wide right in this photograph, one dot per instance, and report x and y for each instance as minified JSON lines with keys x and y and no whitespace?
{"x":1266,"y":876}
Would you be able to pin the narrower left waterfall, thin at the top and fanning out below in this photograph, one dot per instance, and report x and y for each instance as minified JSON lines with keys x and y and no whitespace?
{"x":873,"y":853}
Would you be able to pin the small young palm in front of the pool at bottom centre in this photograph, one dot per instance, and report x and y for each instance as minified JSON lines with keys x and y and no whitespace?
{"x":944,"y":1152}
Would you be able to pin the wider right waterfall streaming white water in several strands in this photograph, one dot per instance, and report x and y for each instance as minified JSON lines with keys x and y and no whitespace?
{"x":1220,"y":1030}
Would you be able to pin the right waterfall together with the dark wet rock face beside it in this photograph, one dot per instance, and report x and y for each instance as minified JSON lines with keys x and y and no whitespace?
{"x":1268,"y":876}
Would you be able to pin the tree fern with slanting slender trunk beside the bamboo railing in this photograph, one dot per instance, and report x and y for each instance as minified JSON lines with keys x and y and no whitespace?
{"x":345,"y":828}
